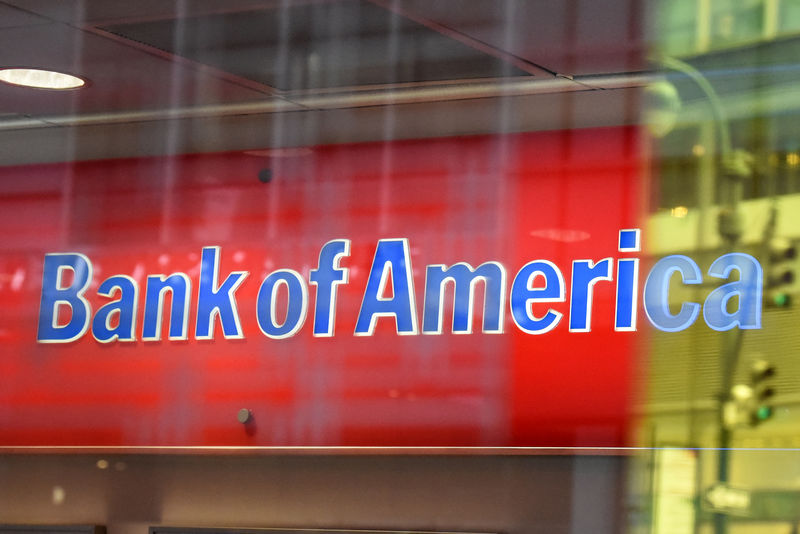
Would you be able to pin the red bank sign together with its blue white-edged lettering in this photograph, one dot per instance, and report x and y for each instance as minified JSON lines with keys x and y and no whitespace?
{"x":191,"y":298}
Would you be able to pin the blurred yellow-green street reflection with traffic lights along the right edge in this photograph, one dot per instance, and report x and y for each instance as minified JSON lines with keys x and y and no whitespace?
{"x":722,"y":113}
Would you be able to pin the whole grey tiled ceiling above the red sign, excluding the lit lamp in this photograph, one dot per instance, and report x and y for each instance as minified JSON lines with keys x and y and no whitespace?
{"x":208,"y":75}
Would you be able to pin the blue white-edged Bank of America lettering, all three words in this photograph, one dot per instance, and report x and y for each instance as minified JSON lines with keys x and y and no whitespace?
{"x":389,"y":293}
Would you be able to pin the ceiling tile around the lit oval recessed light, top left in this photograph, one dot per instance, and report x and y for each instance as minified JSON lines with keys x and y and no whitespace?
{"x":121,"y":78}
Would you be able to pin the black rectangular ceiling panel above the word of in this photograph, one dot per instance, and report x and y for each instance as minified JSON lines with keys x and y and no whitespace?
{"x":319,"y":46}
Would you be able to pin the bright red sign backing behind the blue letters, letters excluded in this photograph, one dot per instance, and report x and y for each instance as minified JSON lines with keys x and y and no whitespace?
{"x":558,"y":196}
